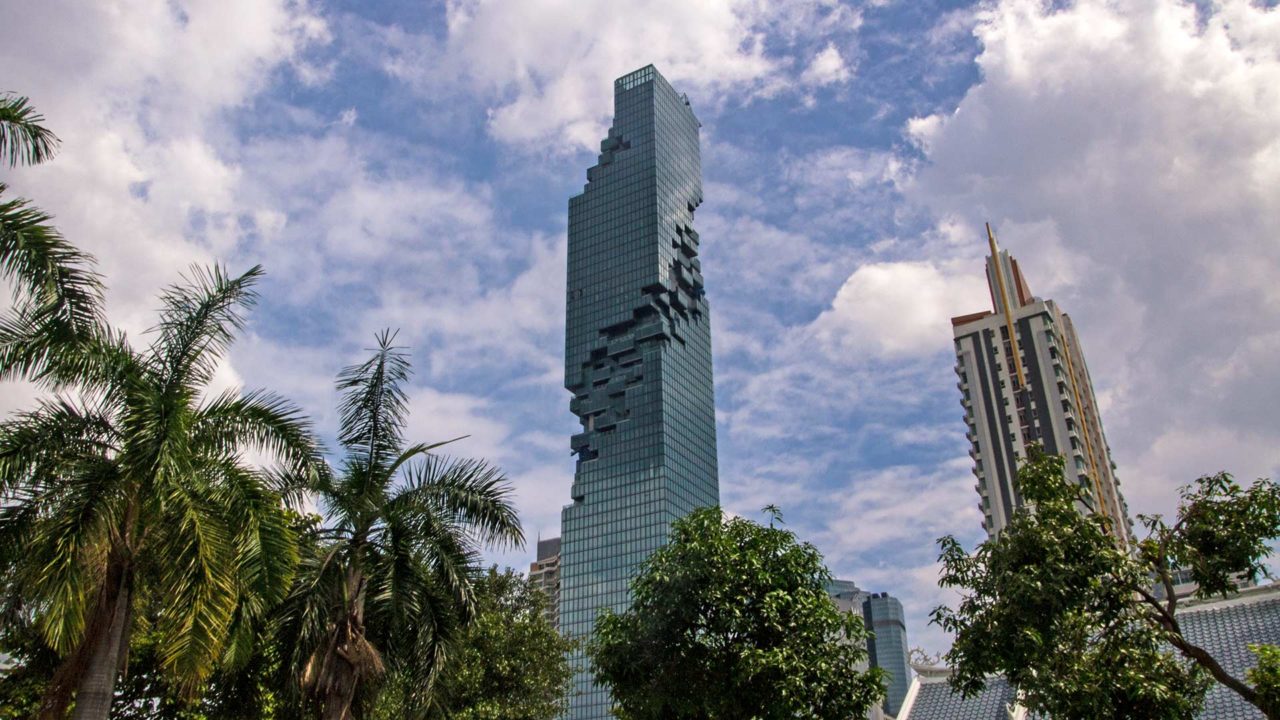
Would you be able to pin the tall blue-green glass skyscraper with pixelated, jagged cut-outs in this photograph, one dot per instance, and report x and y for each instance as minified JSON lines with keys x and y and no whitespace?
{"x":638,"y":359}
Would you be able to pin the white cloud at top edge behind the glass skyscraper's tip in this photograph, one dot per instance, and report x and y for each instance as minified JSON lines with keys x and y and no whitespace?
{"x":545,"y":69}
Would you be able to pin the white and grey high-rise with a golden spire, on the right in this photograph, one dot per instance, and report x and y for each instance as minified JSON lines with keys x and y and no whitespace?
{"x":1023,"y":381}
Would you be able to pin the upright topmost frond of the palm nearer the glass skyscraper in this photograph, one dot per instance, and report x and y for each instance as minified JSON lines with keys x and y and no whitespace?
{"x":373,"y":409}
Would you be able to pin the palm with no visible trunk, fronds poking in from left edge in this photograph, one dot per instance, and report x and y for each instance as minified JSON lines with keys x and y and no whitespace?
{"x":58,"y":299}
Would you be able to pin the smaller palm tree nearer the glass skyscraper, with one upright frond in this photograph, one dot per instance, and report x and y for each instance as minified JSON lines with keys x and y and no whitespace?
{"x":394,"y":577}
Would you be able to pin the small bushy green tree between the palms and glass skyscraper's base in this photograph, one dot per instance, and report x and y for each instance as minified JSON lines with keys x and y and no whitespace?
{"x":509,"y":663}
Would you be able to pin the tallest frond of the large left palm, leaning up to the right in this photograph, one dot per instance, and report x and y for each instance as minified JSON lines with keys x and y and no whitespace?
{"x":199,"y":323}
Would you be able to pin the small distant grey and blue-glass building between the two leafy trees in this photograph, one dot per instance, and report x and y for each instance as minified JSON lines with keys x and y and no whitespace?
{"x":888,"y":650}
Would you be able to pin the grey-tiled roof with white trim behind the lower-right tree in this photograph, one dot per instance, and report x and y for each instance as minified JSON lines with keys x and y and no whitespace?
{"x":1226,"y":628}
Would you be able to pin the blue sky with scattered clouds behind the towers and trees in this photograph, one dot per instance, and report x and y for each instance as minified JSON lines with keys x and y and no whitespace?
{"x":409,"y":165}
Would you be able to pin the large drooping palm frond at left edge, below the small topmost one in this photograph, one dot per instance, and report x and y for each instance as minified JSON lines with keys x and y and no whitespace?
{"x":51,"y":274}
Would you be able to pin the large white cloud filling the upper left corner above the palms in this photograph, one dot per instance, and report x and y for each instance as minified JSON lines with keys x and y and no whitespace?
{"x":138,"y":94}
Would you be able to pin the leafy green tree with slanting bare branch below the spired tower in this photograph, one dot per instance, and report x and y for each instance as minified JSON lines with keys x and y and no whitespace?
{"x":1071,"y":619}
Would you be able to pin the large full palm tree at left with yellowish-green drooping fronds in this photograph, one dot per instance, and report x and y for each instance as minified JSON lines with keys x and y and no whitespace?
{"x":138,"y":487}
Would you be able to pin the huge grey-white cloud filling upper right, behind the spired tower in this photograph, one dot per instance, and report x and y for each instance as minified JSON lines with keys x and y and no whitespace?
{"x":1128,"y":151}
